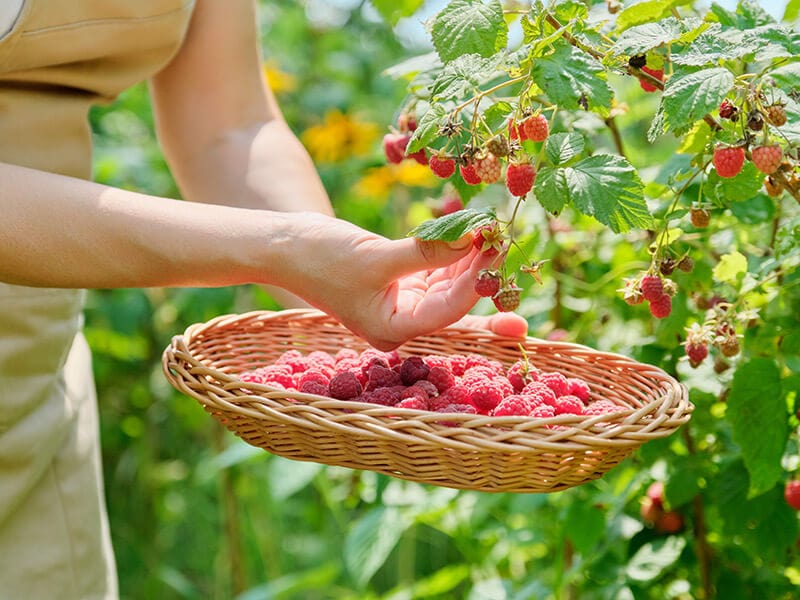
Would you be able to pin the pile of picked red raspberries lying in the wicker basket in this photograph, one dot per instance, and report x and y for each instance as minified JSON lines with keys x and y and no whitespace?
{"x":459,"y":383}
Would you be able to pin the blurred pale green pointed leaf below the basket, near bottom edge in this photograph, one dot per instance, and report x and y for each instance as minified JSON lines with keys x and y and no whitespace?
{"x":370,"y":541}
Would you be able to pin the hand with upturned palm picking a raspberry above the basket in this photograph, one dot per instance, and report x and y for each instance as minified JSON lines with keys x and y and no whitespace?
{"x":386,"y":291}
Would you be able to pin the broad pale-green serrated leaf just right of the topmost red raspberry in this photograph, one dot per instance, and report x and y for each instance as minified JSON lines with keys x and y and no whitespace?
{"x":689,"y":96}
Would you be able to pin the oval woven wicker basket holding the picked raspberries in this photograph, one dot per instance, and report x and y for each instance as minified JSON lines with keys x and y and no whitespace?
{"x":492,"y":454}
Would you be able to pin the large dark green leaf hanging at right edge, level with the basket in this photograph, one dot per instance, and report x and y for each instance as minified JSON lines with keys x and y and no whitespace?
{"x":757,"y":414}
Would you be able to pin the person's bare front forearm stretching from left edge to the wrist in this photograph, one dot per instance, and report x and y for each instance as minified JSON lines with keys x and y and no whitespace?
{"x":63,"y":232}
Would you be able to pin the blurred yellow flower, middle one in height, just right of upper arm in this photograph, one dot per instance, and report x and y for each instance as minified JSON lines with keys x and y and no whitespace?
{"x":339,"y":137}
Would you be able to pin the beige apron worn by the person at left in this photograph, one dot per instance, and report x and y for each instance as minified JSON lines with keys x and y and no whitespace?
{"x":60,"y":57}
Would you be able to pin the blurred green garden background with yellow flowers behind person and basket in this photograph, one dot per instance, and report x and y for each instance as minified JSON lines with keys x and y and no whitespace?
{"x":196,"y":514}
